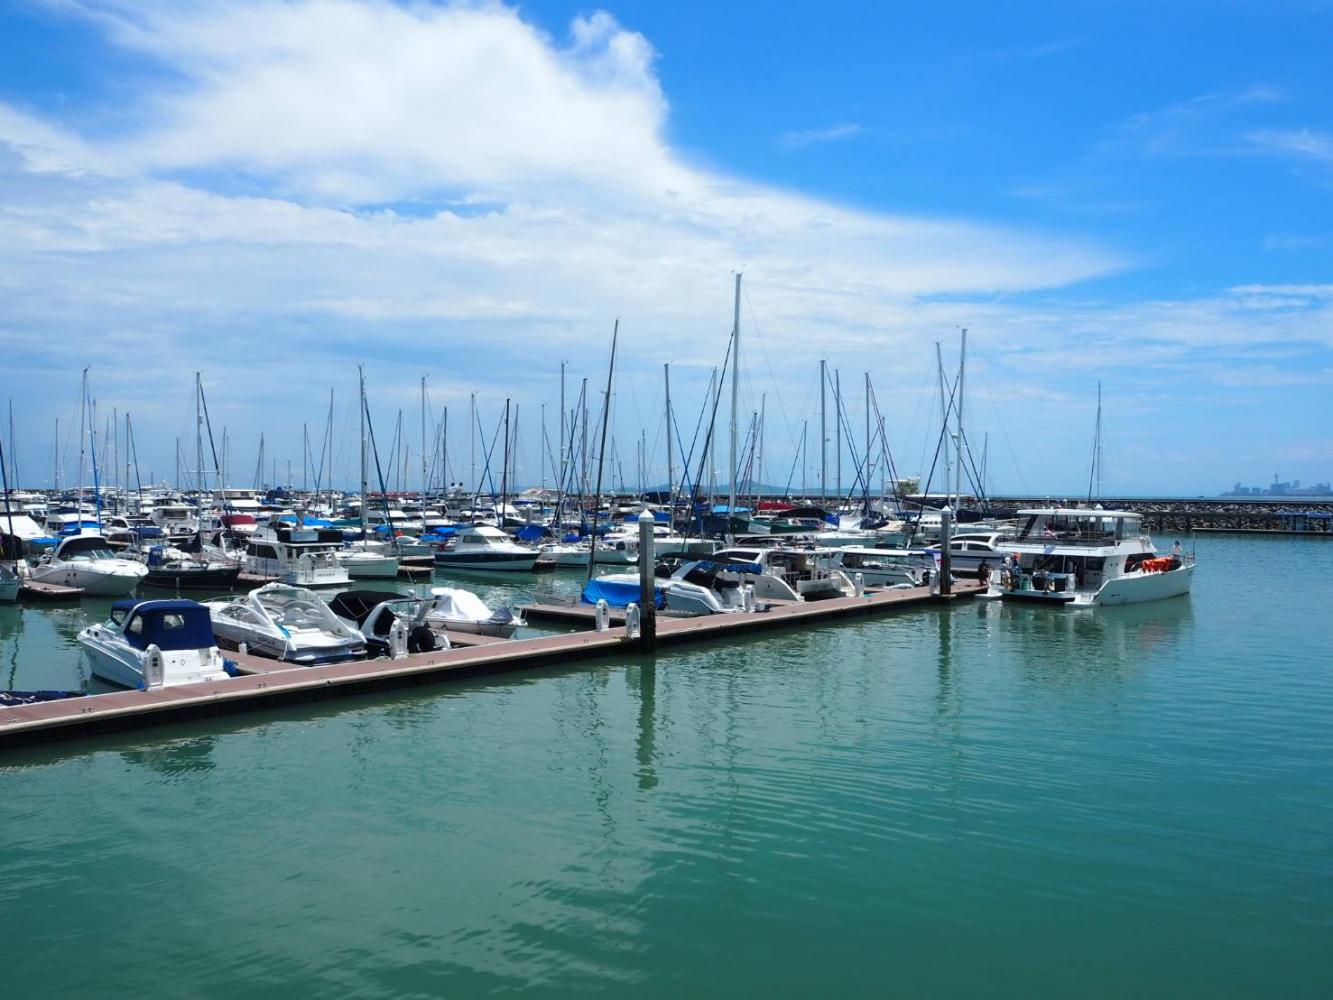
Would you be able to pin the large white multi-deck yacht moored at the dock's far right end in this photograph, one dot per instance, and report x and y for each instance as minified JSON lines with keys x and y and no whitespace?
{"x":1078,"y":557}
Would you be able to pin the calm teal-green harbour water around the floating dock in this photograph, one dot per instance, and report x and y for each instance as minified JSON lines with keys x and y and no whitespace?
{"x":987,"y":802}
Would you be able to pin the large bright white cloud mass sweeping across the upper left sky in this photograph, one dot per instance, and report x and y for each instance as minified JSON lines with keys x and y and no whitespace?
{"x":449,"y":189}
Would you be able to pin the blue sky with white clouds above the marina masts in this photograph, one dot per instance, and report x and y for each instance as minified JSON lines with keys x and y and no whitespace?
{"x":274,"y":194}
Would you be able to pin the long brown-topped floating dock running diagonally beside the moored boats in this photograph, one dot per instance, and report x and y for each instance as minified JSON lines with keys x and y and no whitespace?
{"x":270,"y":683}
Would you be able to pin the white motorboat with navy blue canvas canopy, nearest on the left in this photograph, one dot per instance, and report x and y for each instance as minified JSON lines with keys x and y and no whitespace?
{"x":154,"y":643}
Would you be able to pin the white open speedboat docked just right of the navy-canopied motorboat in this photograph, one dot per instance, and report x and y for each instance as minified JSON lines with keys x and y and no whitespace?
{"x":286,"y":623}
